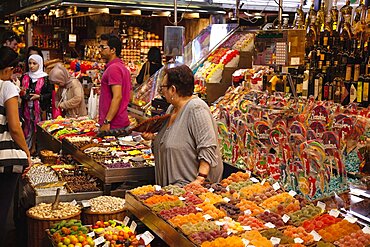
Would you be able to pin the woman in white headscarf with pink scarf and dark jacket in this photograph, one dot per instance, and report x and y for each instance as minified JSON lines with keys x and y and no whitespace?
{"x":36,"y":94}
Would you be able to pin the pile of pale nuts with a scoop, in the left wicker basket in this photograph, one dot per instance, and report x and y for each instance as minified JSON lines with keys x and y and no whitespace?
{"x":44,"y":211}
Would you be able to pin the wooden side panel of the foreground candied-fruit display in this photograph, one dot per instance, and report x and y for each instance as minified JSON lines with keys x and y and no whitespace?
{"x":163,"y":229}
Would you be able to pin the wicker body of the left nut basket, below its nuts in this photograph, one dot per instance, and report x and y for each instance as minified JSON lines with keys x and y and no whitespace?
{"x":37,"y":236}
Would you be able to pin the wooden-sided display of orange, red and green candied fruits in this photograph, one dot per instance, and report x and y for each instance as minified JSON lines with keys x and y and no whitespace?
{"x":216,"y":215}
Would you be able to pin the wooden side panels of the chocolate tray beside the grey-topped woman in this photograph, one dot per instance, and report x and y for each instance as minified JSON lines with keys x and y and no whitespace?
{"x":109,"y":175}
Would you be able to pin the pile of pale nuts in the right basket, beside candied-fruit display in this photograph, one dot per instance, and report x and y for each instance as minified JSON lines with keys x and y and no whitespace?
{"x":106,"y":204}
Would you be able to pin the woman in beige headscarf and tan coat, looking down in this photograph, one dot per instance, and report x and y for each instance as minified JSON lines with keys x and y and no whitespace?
{"x":70,"y":95}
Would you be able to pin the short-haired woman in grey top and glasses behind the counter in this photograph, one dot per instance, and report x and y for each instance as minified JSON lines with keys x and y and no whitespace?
{"x":186,"y":148}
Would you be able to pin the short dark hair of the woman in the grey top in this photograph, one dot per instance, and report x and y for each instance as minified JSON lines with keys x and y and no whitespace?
{"x":182,"y":78}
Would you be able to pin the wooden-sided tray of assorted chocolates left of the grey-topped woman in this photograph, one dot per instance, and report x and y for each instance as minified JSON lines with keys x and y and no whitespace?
{"x":113,"y":159}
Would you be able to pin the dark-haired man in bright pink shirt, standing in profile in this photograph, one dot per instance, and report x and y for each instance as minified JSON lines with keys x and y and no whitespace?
{"x":115,"y":86}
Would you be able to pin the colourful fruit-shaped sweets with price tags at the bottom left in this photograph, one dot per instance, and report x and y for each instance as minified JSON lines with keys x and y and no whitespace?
{"x":112,"y":233}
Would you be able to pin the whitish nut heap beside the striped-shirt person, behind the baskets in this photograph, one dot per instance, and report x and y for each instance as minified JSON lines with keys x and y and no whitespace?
{"x":41,"y":174}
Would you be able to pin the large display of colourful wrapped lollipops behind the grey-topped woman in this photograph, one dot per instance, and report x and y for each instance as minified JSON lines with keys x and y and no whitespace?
{"x":297,"y":142}
